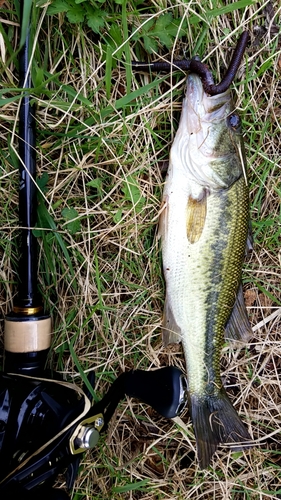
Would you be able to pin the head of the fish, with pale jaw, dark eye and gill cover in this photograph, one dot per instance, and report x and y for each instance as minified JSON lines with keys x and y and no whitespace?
{"x":208,"y":140}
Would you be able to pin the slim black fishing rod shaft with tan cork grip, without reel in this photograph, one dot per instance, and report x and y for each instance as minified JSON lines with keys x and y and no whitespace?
{"x":28,"y":327}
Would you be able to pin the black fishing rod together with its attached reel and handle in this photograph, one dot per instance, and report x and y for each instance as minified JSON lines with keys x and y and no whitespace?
{"x":45,"y":422}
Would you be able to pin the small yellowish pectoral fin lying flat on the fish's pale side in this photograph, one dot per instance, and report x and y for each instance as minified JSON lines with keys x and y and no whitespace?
{"x":195,"y":217}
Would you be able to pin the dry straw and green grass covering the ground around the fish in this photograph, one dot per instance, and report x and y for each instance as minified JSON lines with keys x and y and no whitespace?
{"x":103,"y":138}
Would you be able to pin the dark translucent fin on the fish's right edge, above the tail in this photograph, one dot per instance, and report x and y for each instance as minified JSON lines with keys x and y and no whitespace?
{"x":238,"y":326}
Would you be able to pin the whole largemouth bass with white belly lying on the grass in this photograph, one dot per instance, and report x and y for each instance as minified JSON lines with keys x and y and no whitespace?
{"x":204,"y":230}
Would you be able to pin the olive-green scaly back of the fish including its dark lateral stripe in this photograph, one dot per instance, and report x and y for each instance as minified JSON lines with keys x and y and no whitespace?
{"x":226,"y":274}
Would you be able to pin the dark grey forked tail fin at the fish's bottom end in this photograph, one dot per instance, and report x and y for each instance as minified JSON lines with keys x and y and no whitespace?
{"x":215,"y":421}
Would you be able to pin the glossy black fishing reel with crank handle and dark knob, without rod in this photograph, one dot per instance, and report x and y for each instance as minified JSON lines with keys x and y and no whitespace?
{"x":45,"y":424}
